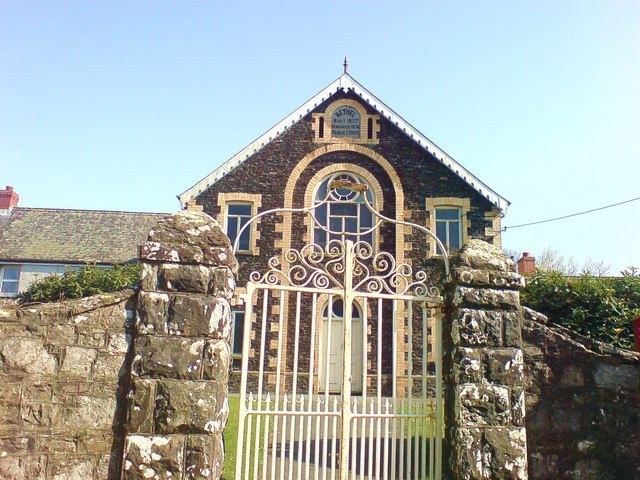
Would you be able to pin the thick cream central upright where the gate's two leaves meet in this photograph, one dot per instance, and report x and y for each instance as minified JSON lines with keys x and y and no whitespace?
{"x":345,"y":433}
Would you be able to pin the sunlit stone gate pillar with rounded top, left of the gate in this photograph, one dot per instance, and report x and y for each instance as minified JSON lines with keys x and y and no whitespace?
{"x":178,"y":403}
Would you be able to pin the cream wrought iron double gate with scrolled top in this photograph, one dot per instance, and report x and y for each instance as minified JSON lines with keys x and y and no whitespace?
{"x":344,"y":377}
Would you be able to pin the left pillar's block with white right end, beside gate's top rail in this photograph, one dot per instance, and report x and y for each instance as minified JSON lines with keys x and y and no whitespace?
{"x":199,"y":315}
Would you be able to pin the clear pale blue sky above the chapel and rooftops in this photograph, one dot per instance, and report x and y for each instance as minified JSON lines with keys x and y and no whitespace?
{"x":124,"y":105}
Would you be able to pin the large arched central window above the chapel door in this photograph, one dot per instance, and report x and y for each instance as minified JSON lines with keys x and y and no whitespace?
{"x":344,"y":212}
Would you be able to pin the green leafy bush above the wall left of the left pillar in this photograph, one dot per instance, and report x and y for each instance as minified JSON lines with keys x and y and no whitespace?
{"x":88,"y":280}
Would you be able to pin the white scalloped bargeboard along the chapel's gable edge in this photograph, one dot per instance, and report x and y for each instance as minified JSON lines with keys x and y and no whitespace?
{"x":346,"y":83}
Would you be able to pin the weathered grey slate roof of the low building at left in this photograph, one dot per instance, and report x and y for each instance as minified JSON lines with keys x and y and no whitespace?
{"x":47,"y":235}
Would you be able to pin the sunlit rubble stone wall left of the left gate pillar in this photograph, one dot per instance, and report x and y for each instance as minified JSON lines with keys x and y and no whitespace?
{"x":64,"y":373}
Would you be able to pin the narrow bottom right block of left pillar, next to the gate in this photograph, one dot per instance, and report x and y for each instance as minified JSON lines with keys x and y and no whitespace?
{"x":204,"y":456}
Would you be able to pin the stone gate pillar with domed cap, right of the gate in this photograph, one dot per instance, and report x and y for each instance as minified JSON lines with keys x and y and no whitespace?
{"x":483,"y":364}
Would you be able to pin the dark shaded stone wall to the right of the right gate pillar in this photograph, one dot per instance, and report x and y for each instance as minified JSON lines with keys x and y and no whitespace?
{"x":583,"y":405}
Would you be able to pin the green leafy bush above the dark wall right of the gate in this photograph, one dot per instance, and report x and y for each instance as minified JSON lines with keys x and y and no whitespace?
{"x":598,"y":307}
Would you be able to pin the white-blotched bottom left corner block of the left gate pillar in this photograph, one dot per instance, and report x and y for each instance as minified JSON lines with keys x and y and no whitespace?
{"x":153,"y":456}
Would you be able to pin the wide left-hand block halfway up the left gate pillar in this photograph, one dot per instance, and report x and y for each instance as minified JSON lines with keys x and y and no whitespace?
{"x":168,"y":357}
